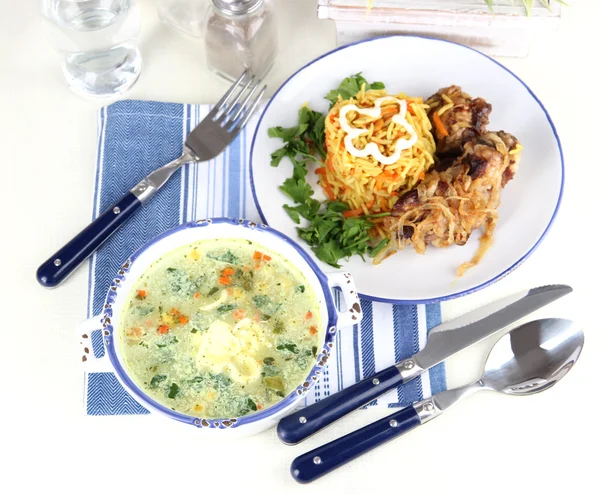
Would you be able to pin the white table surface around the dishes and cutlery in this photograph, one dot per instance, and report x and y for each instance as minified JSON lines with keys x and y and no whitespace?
{"x":487,"y":444}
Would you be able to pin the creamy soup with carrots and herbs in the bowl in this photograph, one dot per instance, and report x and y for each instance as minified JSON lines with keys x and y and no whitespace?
{"x":220,"y":328}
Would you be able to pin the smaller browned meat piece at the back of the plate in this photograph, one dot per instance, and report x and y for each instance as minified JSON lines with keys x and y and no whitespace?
{"x":461,"y":117}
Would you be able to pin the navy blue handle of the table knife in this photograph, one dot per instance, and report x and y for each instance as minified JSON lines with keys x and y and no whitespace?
{"x":305,"y":422}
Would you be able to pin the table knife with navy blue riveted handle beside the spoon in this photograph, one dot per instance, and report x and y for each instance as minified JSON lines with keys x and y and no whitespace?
{"x":443,"y":341}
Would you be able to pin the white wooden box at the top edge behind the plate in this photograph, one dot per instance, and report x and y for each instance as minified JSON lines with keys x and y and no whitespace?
{"x":508,"y":31}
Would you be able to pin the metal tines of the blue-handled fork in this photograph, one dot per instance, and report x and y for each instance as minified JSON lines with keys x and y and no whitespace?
{"x":236,"y":107}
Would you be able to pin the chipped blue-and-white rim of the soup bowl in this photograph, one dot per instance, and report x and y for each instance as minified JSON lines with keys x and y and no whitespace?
{"x":313,"y":376}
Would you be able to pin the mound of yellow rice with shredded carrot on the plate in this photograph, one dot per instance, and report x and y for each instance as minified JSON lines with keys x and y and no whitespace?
{"x":364,"y":183}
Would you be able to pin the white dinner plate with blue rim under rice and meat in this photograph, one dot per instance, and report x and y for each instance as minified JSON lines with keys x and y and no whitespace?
{"x":419,"y":67}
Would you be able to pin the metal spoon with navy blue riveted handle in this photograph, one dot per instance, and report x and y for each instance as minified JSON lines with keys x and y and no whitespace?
{"x":527,"y":360}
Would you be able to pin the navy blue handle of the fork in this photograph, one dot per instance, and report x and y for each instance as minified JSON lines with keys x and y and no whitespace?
{"x":63,"y":263}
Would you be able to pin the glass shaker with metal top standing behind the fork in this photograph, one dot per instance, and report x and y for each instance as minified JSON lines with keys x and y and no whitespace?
{"x":240,"y":35}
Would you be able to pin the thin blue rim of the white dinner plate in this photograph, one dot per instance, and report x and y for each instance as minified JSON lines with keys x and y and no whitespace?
{"x":486,"y":283}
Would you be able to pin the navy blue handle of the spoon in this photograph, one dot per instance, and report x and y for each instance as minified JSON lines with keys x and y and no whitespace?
{"x":324,"y":459}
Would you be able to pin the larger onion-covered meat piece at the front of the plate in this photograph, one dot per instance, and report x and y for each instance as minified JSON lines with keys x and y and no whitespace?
{"x":447,"y":206}
